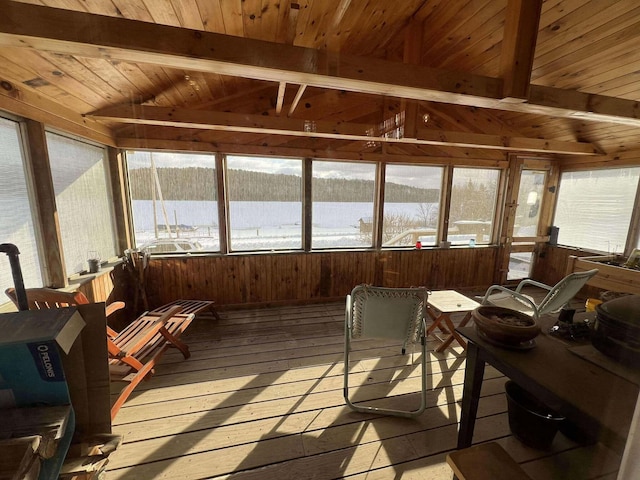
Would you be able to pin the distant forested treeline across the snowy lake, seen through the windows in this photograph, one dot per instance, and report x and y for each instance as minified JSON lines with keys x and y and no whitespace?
{"x":196,"y":183}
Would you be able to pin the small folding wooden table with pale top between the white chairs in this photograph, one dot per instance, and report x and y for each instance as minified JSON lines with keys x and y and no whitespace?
{"x":442,"y":303}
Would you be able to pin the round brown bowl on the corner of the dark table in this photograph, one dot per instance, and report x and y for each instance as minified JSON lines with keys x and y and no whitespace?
{"x":504,"y":325}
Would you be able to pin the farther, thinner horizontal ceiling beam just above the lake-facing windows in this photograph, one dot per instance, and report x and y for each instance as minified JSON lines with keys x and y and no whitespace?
{"x":261,"y":124}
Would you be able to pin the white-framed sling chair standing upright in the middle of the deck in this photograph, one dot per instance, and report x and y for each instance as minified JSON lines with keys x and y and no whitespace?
{"x":387,"y":313}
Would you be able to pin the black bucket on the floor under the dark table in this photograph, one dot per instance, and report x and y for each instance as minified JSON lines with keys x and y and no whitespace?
{"x":532,"y":422}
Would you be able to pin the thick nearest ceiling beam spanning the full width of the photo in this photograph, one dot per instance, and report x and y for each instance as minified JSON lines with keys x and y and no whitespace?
{"x":117,"y":39}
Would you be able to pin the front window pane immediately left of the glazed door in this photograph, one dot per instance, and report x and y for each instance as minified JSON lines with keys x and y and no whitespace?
{"x":473,"y":205}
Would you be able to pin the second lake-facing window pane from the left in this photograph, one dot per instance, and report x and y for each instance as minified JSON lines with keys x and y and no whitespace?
{"x":265,"y":203}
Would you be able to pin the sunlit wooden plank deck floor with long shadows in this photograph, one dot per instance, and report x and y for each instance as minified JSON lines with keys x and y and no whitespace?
{"x":261,"y":398}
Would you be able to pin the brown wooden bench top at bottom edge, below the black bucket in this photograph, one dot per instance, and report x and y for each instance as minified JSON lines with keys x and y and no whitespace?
{"x":487,"y":461}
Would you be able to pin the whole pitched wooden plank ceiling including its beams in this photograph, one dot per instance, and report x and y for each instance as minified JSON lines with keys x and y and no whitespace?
{"x":301,"y":76}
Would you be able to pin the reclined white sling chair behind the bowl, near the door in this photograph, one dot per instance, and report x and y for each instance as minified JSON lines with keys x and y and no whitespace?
{"x":557,"y":297}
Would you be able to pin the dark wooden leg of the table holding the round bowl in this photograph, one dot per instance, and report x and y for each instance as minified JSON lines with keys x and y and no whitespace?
{"x":473,"y":375}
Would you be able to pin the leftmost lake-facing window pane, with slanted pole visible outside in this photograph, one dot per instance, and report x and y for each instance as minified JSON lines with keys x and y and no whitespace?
{"x":174,"y":201}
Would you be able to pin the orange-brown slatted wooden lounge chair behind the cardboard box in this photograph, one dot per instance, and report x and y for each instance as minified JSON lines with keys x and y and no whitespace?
{"x":134,"y":351}
